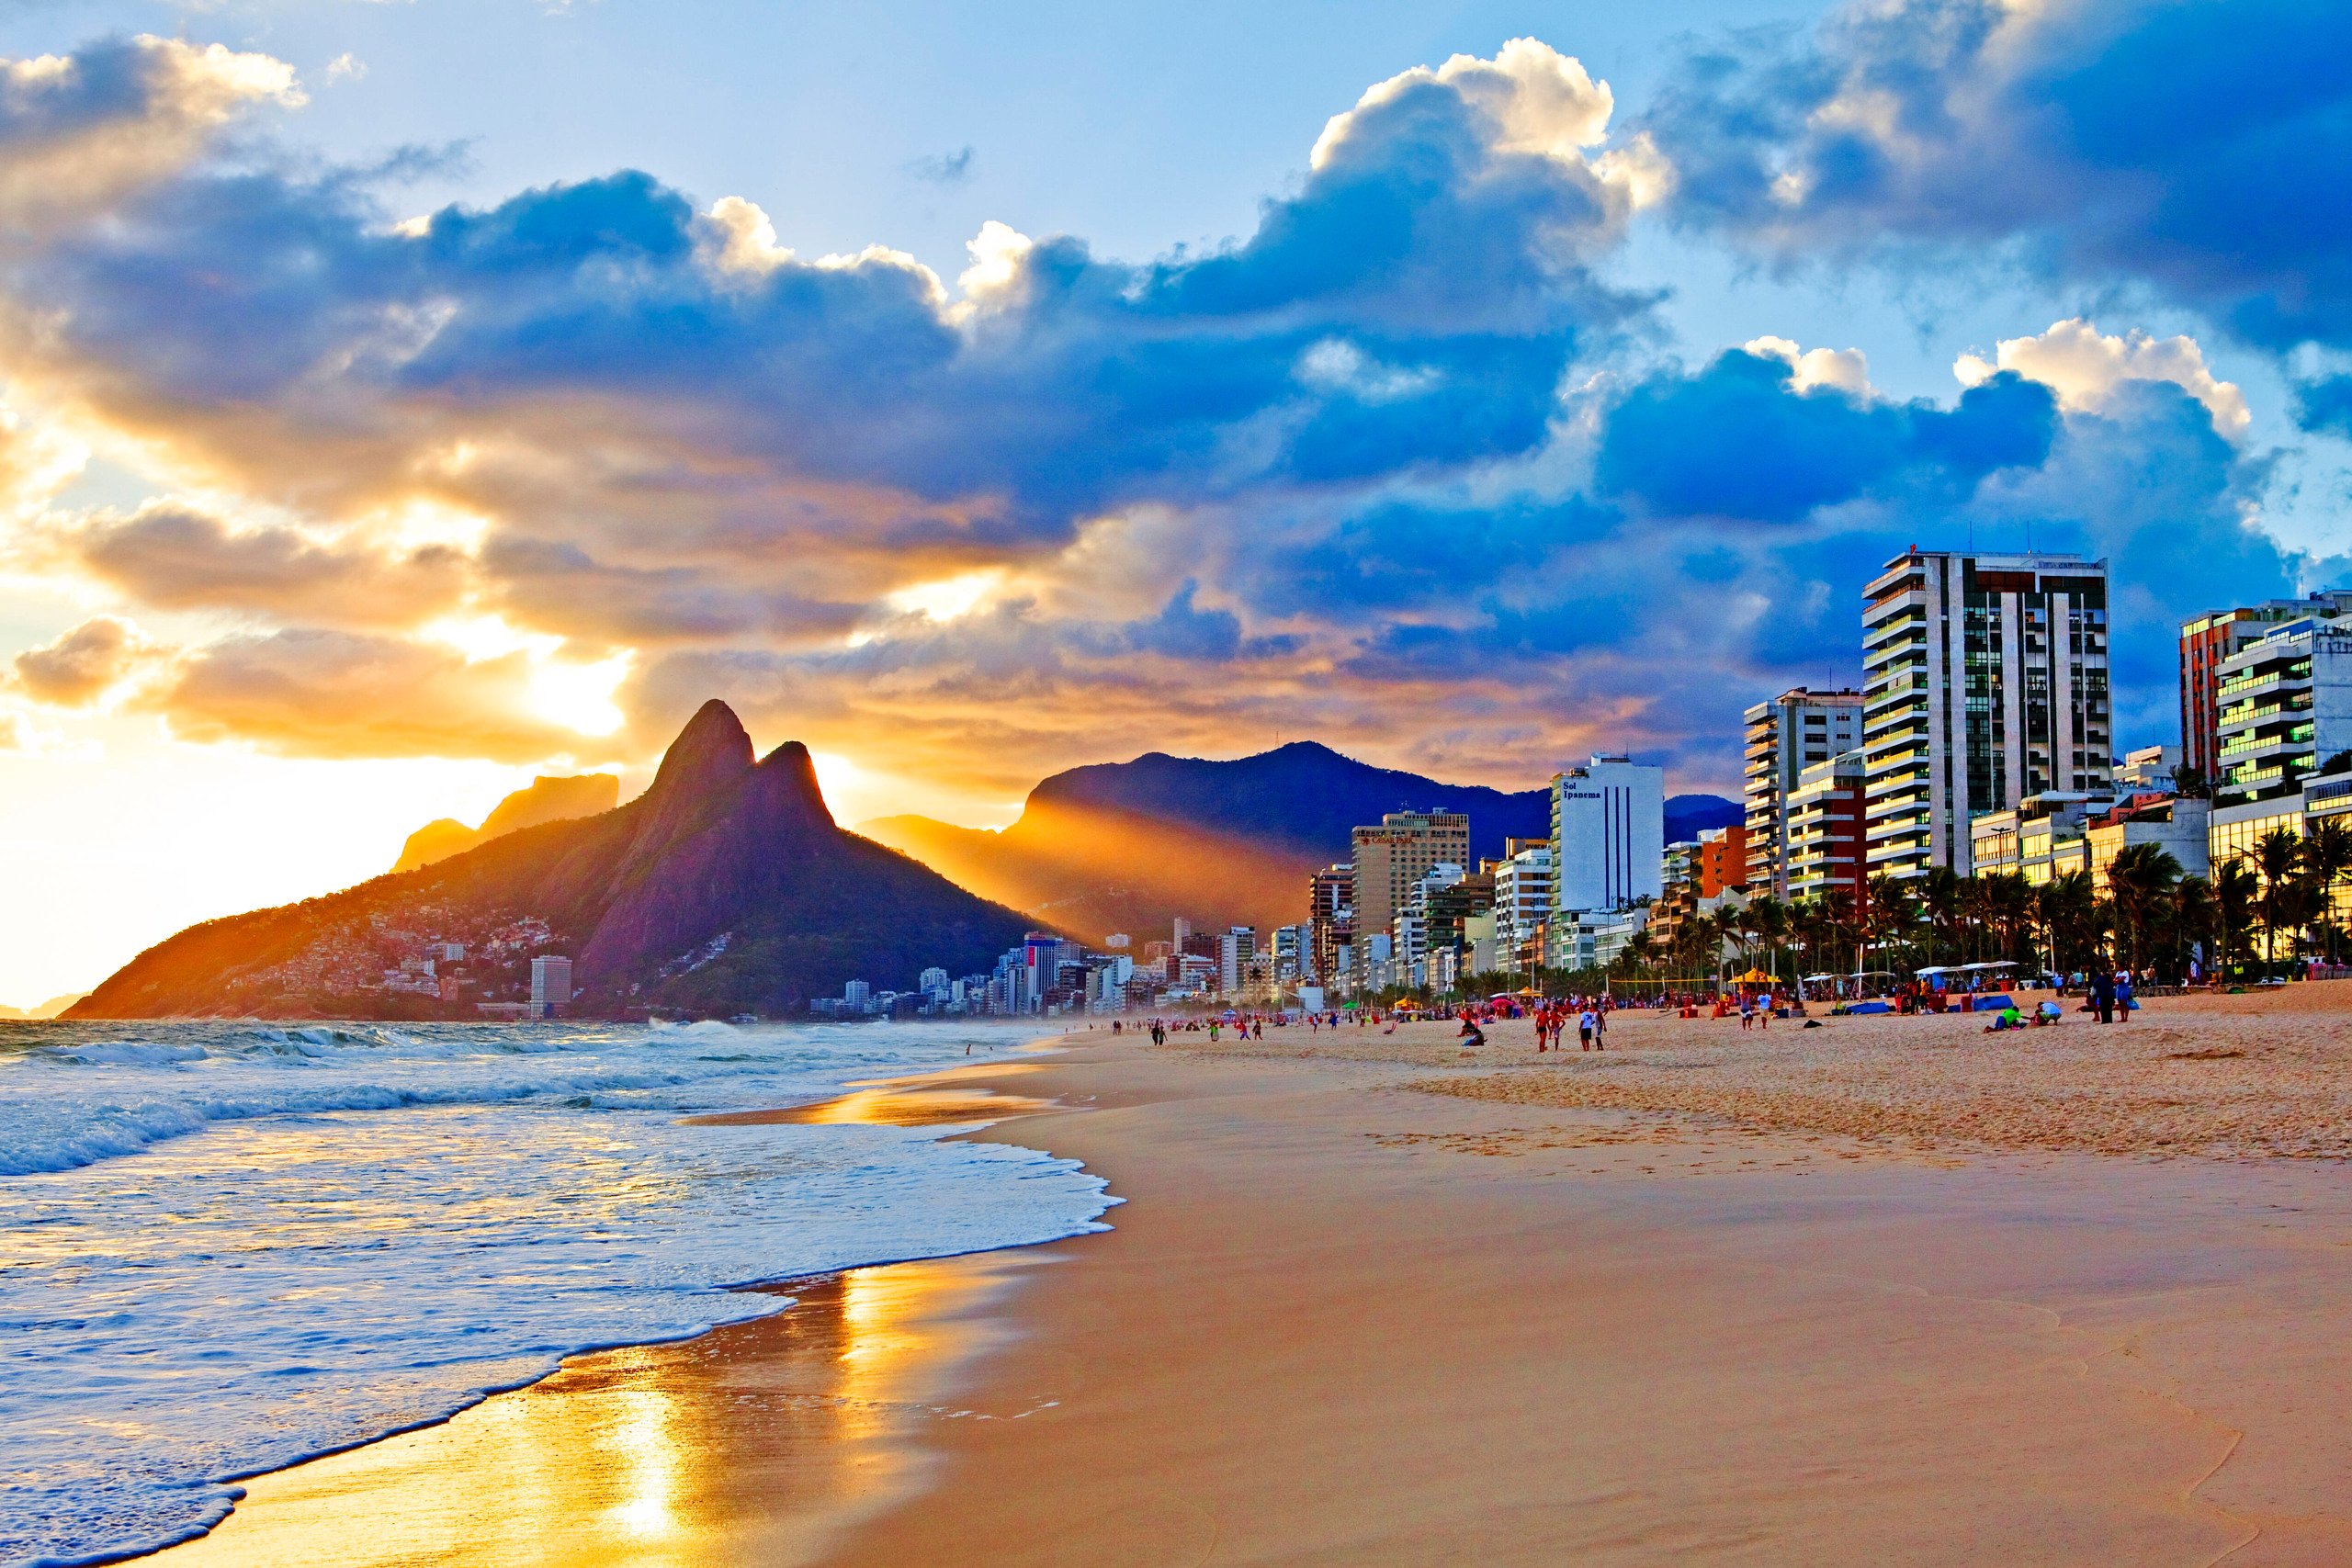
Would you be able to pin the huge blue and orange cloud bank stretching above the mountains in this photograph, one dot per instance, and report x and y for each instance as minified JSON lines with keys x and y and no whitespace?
{"x":1398,"y":467}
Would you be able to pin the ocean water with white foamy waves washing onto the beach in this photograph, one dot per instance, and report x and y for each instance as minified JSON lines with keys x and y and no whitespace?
{"x":229,"y":1247}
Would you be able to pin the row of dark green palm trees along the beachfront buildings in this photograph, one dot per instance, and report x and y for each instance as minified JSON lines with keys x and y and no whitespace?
{"x":2261,"y":909}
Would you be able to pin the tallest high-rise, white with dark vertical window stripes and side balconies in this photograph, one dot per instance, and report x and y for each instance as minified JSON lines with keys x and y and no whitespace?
{"x":1986,"y":683}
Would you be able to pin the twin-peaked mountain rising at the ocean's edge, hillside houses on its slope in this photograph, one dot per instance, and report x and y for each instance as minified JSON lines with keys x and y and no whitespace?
{"x":726,"y":887}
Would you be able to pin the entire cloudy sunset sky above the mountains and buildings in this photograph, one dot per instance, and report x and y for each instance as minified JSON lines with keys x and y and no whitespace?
{"x":403,"y":398}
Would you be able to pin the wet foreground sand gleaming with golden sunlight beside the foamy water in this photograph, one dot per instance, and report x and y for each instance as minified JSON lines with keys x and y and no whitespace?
{"x":653,"y":1456}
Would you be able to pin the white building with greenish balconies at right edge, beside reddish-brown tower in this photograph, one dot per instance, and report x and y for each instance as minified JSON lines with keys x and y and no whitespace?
{"x":2285,"y":709}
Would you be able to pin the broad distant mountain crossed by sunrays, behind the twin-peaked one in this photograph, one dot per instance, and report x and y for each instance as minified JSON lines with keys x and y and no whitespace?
{"x":1132,"y":845}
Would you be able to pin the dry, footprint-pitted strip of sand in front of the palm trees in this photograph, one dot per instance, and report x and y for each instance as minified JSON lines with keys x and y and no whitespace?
{"x":2191,"y":1076}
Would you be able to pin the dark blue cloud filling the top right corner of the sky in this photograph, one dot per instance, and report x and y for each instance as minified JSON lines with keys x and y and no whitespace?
{"x":2189,"y":147}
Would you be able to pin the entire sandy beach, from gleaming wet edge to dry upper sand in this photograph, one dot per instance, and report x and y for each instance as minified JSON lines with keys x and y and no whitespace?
{"x":1878,"y":1292}
